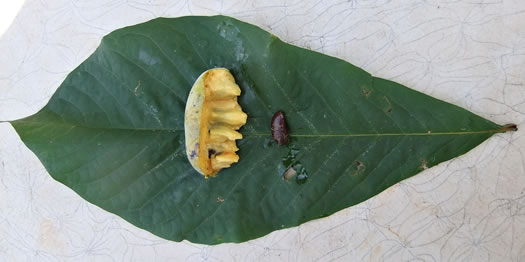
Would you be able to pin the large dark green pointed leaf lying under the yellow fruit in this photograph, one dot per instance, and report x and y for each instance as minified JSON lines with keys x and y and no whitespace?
{"x":113,"y":131}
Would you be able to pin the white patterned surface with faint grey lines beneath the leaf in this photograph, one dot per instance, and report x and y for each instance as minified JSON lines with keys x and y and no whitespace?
{"x":470,"y":53}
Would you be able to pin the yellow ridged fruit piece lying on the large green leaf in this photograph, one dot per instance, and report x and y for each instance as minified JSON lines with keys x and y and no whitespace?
{"x":212,"y":107}
